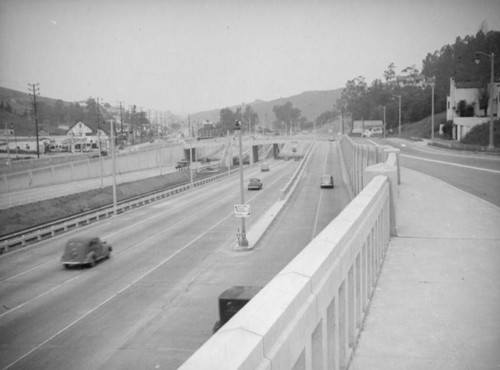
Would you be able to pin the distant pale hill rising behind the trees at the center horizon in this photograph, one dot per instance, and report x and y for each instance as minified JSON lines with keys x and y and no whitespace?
{"x":311,"y":103}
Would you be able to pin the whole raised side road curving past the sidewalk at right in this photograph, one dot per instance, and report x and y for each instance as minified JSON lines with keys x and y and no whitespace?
{"x":475,"y":173}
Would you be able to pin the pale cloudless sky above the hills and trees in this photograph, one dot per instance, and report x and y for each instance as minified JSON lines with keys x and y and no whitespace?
{"x":189,"y":56}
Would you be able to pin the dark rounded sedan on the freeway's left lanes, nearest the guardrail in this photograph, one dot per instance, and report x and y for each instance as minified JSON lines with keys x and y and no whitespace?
{"x":85,"y":251}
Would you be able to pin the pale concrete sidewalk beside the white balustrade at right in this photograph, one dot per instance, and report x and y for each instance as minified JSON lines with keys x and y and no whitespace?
{"x":437,"y":301}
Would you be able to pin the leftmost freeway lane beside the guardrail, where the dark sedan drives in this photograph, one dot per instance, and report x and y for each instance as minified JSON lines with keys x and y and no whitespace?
{"x":39,"y":266}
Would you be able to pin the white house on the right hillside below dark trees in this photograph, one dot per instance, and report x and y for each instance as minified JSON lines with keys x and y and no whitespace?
{"x":470,"y":94}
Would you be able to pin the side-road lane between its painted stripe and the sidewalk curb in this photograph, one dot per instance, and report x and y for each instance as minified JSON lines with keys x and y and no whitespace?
{"x":483,"y":184}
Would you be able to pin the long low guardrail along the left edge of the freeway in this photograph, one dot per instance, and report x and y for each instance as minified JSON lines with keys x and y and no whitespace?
{"x":33,"y":235}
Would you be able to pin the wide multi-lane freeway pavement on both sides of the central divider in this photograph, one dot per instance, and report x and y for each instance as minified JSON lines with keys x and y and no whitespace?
{"x":155,"y":301}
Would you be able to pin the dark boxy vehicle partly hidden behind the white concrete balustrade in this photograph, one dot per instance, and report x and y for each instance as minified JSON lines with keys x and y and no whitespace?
{"x":232,"y":300}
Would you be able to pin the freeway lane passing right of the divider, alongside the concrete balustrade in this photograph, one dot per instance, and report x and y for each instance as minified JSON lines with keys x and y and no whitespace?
{"x":174,"y":337}
